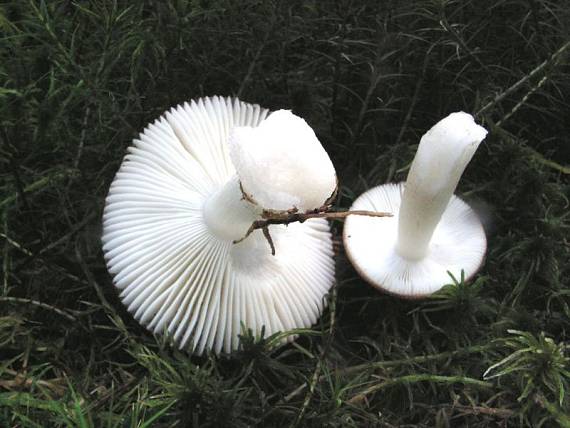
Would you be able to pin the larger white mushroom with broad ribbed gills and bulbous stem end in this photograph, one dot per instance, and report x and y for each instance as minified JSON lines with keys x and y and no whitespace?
{"x":176,"y":207}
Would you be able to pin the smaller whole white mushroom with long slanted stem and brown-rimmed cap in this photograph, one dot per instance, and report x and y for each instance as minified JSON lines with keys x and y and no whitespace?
{"x":432,"y":231}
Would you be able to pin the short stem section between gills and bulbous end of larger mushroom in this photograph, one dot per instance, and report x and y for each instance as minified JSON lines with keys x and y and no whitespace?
{"x":227,"y":214}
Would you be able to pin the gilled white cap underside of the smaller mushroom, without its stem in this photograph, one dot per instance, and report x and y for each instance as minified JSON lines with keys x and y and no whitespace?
{"x":458,"y":243}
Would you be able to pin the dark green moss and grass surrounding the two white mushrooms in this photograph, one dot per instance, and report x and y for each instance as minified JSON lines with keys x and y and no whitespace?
{"x":80,"y":79}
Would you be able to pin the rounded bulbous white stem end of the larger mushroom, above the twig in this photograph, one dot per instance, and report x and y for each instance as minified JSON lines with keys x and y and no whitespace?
{"x":276,"y":161}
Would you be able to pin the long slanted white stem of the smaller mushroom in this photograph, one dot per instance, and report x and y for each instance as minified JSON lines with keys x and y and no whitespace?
{"x":443,"y":153}
